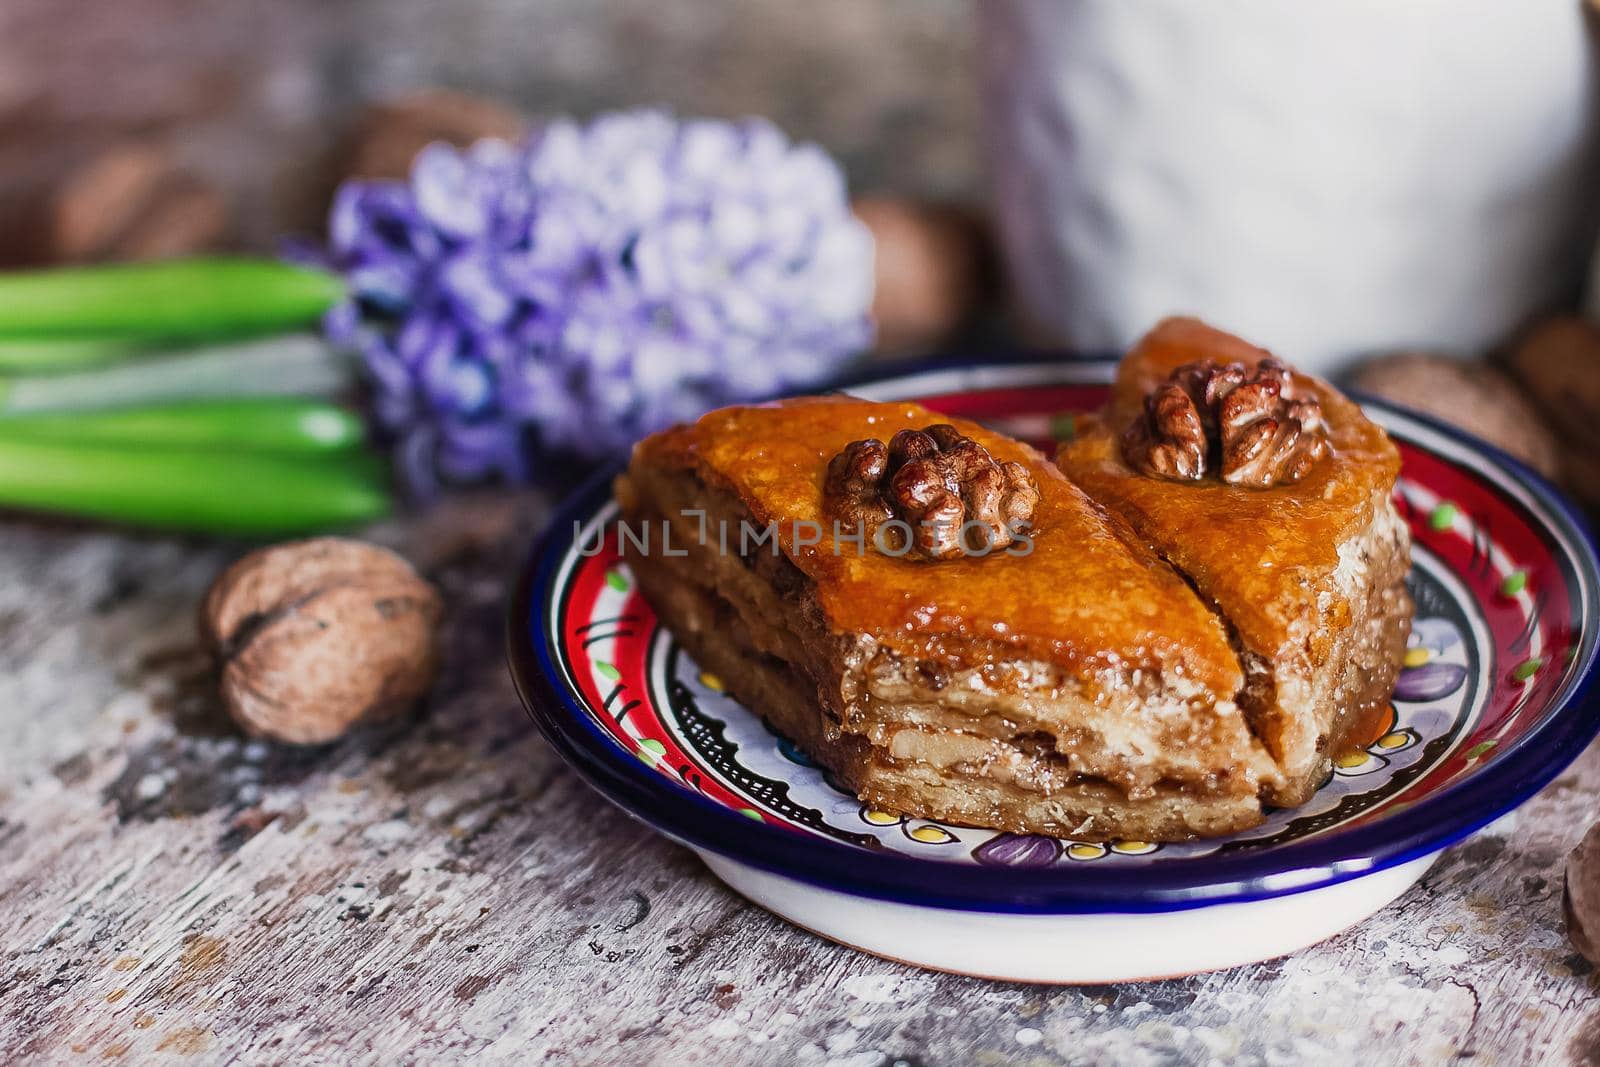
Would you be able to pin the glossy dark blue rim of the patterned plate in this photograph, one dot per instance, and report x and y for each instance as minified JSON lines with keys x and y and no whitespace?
{"x":1423,"y":829}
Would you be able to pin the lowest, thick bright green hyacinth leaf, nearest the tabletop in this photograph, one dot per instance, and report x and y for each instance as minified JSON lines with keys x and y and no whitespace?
{"x":204,"y":492}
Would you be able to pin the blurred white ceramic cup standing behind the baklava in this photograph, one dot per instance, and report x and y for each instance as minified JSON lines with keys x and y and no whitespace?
{"x":1329,"y":178}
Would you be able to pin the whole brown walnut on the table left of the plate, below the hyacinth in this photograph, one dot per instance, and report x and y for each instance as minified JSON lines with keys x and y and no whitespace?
{"x":316,"y":636}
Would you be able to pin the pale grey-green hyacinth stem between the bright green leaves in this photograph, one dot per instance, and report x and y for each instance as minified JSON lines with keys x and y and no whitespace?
{"x":289,"y":366}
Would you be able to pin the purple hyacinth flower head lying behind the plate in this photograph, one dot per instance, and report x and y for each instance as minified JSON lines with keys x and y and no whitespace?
{"x":593,"y":286}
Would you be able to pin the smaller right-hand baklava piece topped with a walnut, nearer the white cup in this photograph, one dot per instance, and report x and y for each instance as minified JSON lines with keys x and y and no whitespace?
{"x":1271,"y":494}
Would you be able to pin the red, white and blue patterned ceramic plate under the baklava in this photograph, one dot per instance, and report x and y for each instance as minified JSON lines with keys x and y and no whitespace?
{"x":1497,"y":697}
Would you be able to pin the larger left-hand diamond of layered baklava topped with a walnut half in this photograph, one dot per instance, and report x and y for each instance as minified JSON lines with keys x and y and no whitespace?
{"x":948,"y":623}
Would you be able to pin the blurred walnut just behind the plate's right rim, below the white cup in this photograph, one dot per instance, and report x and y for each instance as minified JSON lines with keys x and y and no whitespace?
{"x":1468,"y":394}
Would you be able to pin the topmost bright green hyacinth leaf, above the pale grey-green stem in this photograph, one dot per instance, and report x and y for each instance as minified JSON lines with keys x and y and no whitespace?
{"x":180,"y":298}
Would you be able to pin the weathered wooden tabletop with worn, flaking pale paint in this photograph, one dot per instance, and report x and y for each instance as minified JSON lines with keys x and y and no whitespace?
{"x":444,"y":887}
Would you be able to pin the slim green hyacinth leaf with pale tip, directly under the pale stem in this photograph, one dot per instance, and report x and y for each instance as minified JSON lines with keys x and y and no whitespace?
{"x":273,"y":425}
